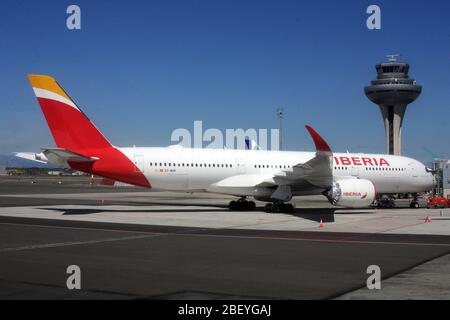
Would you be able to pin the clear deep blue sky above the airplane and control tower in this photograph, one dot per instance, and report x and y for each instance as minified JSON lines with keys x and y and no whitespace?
{"x":141,"y":69}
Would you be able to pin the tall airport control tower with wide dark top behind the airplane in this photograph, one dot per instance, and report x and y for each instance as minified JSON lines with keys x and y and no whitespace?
{"x":392,"y":91}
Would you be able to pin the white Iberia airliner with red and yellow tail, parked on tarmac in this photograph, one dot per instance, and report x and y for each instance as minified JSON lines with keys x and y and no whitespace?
{"x":351,"y":180}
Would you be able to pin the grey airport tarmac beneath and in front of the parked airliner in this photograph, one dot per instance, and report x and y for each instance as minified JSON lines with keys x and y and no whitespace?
{"x":134,"y":244}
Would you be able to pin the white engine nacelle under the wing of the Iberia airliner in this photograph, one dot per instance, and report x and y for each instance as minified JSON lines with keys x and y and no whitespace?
{"x":352,"y":193}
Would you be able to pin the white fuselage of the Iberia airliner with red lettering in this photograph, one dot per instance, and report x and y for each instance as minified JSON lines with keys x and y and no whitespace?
{"x":188,"y":170}
